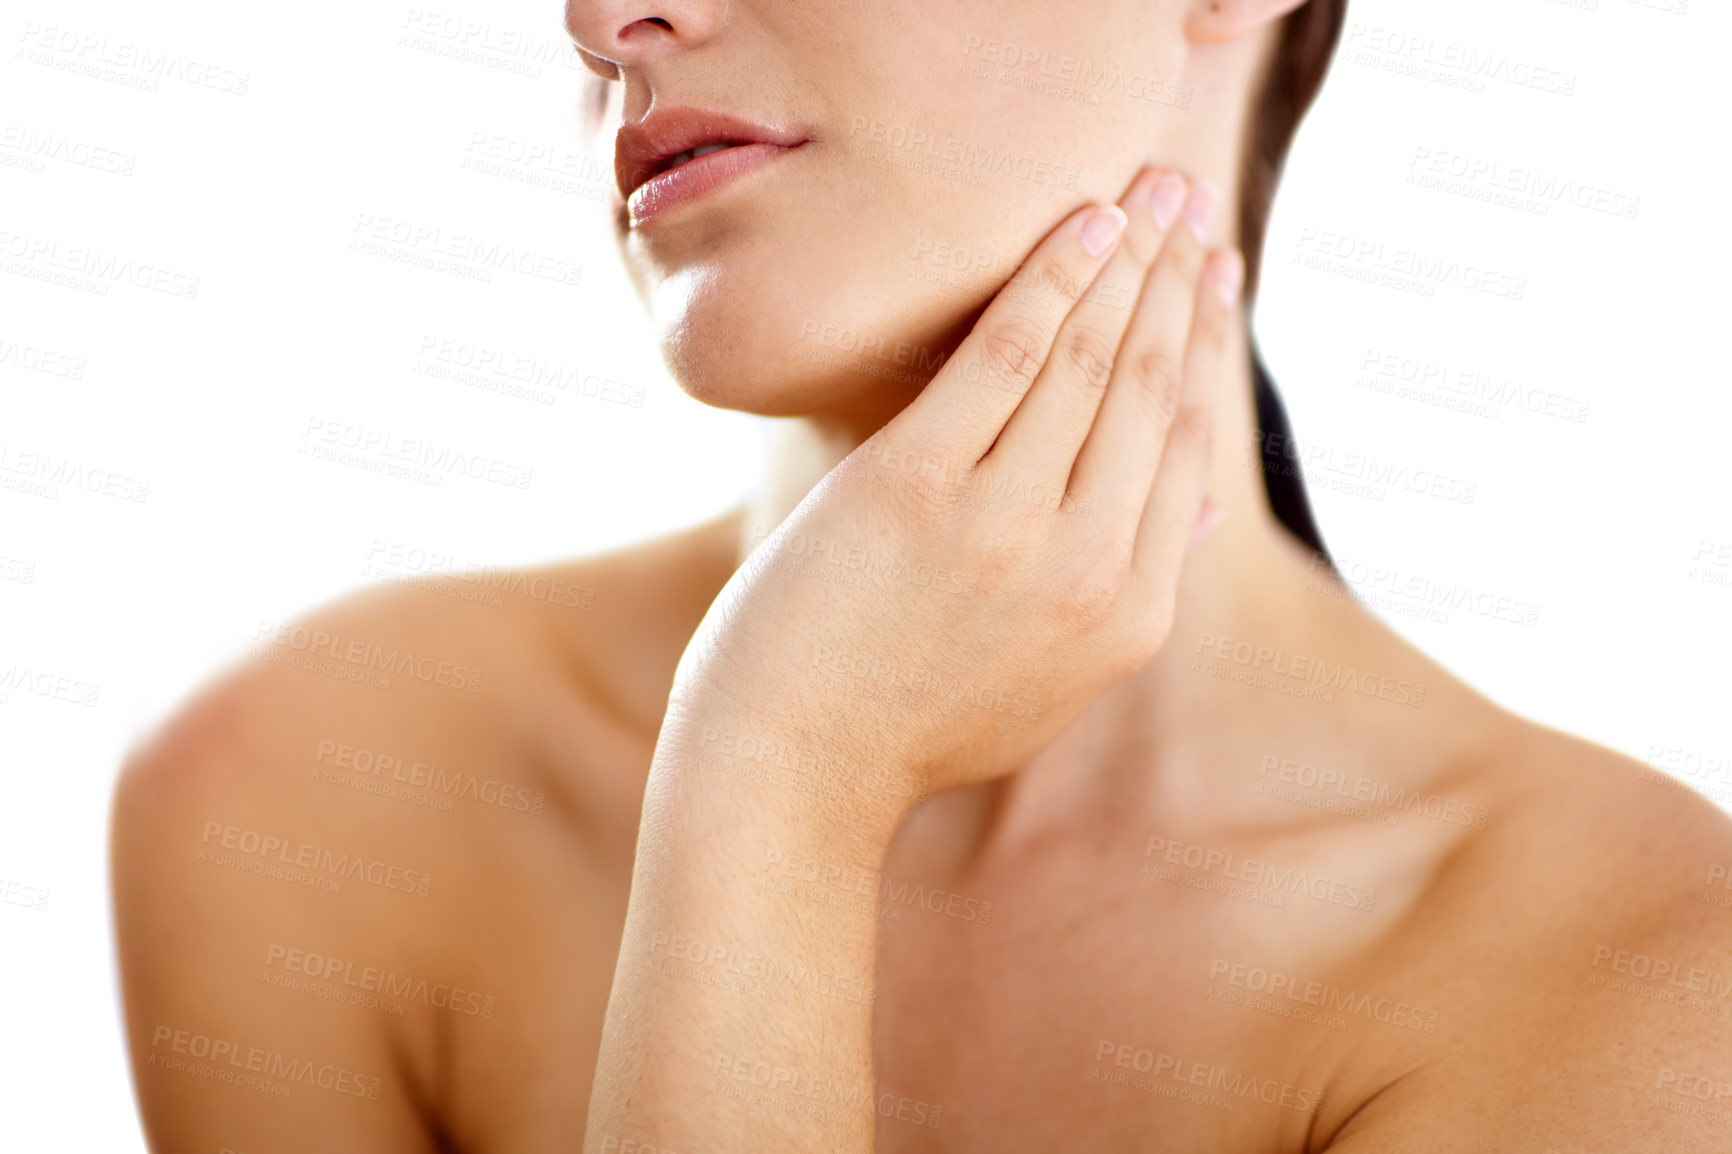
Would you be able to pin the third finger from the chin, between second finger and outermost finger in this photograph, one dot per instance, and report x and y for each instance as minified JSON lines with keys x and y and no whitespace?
{"x":1118,"y":462}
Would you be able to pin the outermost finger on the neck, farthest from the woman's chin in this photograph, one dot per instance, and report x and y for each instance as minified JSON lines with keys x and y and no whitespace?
{"x":1170,"y":515}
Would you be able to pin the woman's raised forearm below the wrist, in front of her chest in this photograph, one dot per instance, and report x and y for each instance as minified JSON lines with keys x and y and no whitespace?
{"x":740,"y":1016}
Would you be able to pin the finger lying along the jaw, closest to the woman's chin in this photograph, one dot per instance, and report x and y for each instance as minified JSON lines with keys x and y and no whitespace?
{"x":979,"y":387}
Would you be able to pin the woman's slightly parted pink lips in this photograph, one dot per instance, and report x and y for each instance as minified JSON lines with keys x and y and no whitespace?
{"x":676,"y":155}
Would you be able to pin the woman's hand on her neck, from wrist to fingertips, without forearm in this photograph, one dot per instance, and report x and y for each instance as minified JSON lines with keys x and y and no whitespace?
{"x":1009,"y":547}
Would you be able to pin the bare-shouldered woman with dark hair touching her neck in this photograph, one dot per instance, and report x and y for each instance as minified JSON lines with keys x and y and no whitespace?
{"x":1011,"y":775}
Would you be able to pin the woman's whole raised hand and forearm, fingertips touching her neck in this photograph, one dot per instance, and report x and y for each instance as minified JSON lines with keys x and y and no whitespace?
{"x":941,"y":604}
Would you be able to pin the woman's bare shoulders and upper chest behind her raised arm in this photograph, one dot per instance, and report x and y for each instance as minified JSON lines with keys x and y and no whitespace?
{"x":1489,"y":940}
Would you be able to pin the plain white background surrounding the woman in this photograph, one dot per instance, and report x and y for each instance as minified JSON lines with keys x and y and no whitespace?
{"x":1600,"y":524}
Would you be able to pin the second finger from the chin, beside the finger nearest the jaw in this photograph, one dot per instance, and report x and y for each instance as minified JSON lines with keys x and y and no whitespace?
{"x":1052,"y":422}
